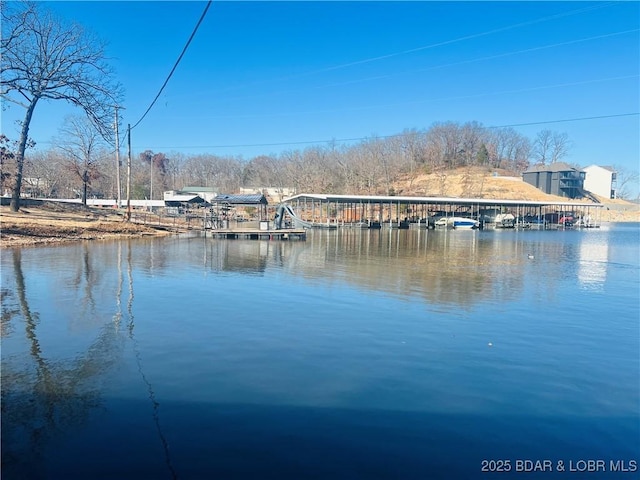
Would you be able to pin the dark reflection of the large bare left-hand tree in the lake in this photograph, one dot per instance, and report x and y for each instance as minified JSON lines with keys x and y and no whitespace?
{"x":44,"y":398}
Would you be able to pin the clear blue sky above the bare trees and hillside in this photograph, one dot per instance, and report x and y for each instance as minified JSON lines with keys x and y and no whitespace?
{"x":265,"y":77}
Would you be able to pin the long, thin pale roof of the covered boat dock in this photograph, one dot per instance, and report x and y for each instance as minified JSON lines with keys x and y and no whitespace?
{"x":434,"y":200}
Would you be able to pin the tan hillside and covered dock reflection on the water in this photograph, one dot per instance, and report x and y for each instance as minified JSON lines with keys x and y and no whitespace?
{"x":442,"y":267}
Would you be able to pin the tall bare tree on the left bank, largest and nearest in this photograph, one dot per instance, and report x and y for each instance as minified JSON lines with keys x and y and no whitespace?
{"x":42,"y":58}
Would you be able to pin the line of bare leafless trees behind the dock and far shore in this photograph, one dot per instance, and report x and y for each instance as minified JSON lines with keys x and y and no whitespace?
{"x":83,"y":165}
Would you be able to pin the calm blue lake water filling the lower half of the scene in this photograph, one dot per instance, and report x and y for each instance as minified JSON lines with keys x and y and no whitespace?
{"x":393,"y":354}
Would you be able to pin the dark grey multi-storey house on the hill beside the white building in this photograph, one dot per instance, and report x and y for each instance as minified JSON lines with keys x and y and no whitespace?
{"x":556,"y":179}
